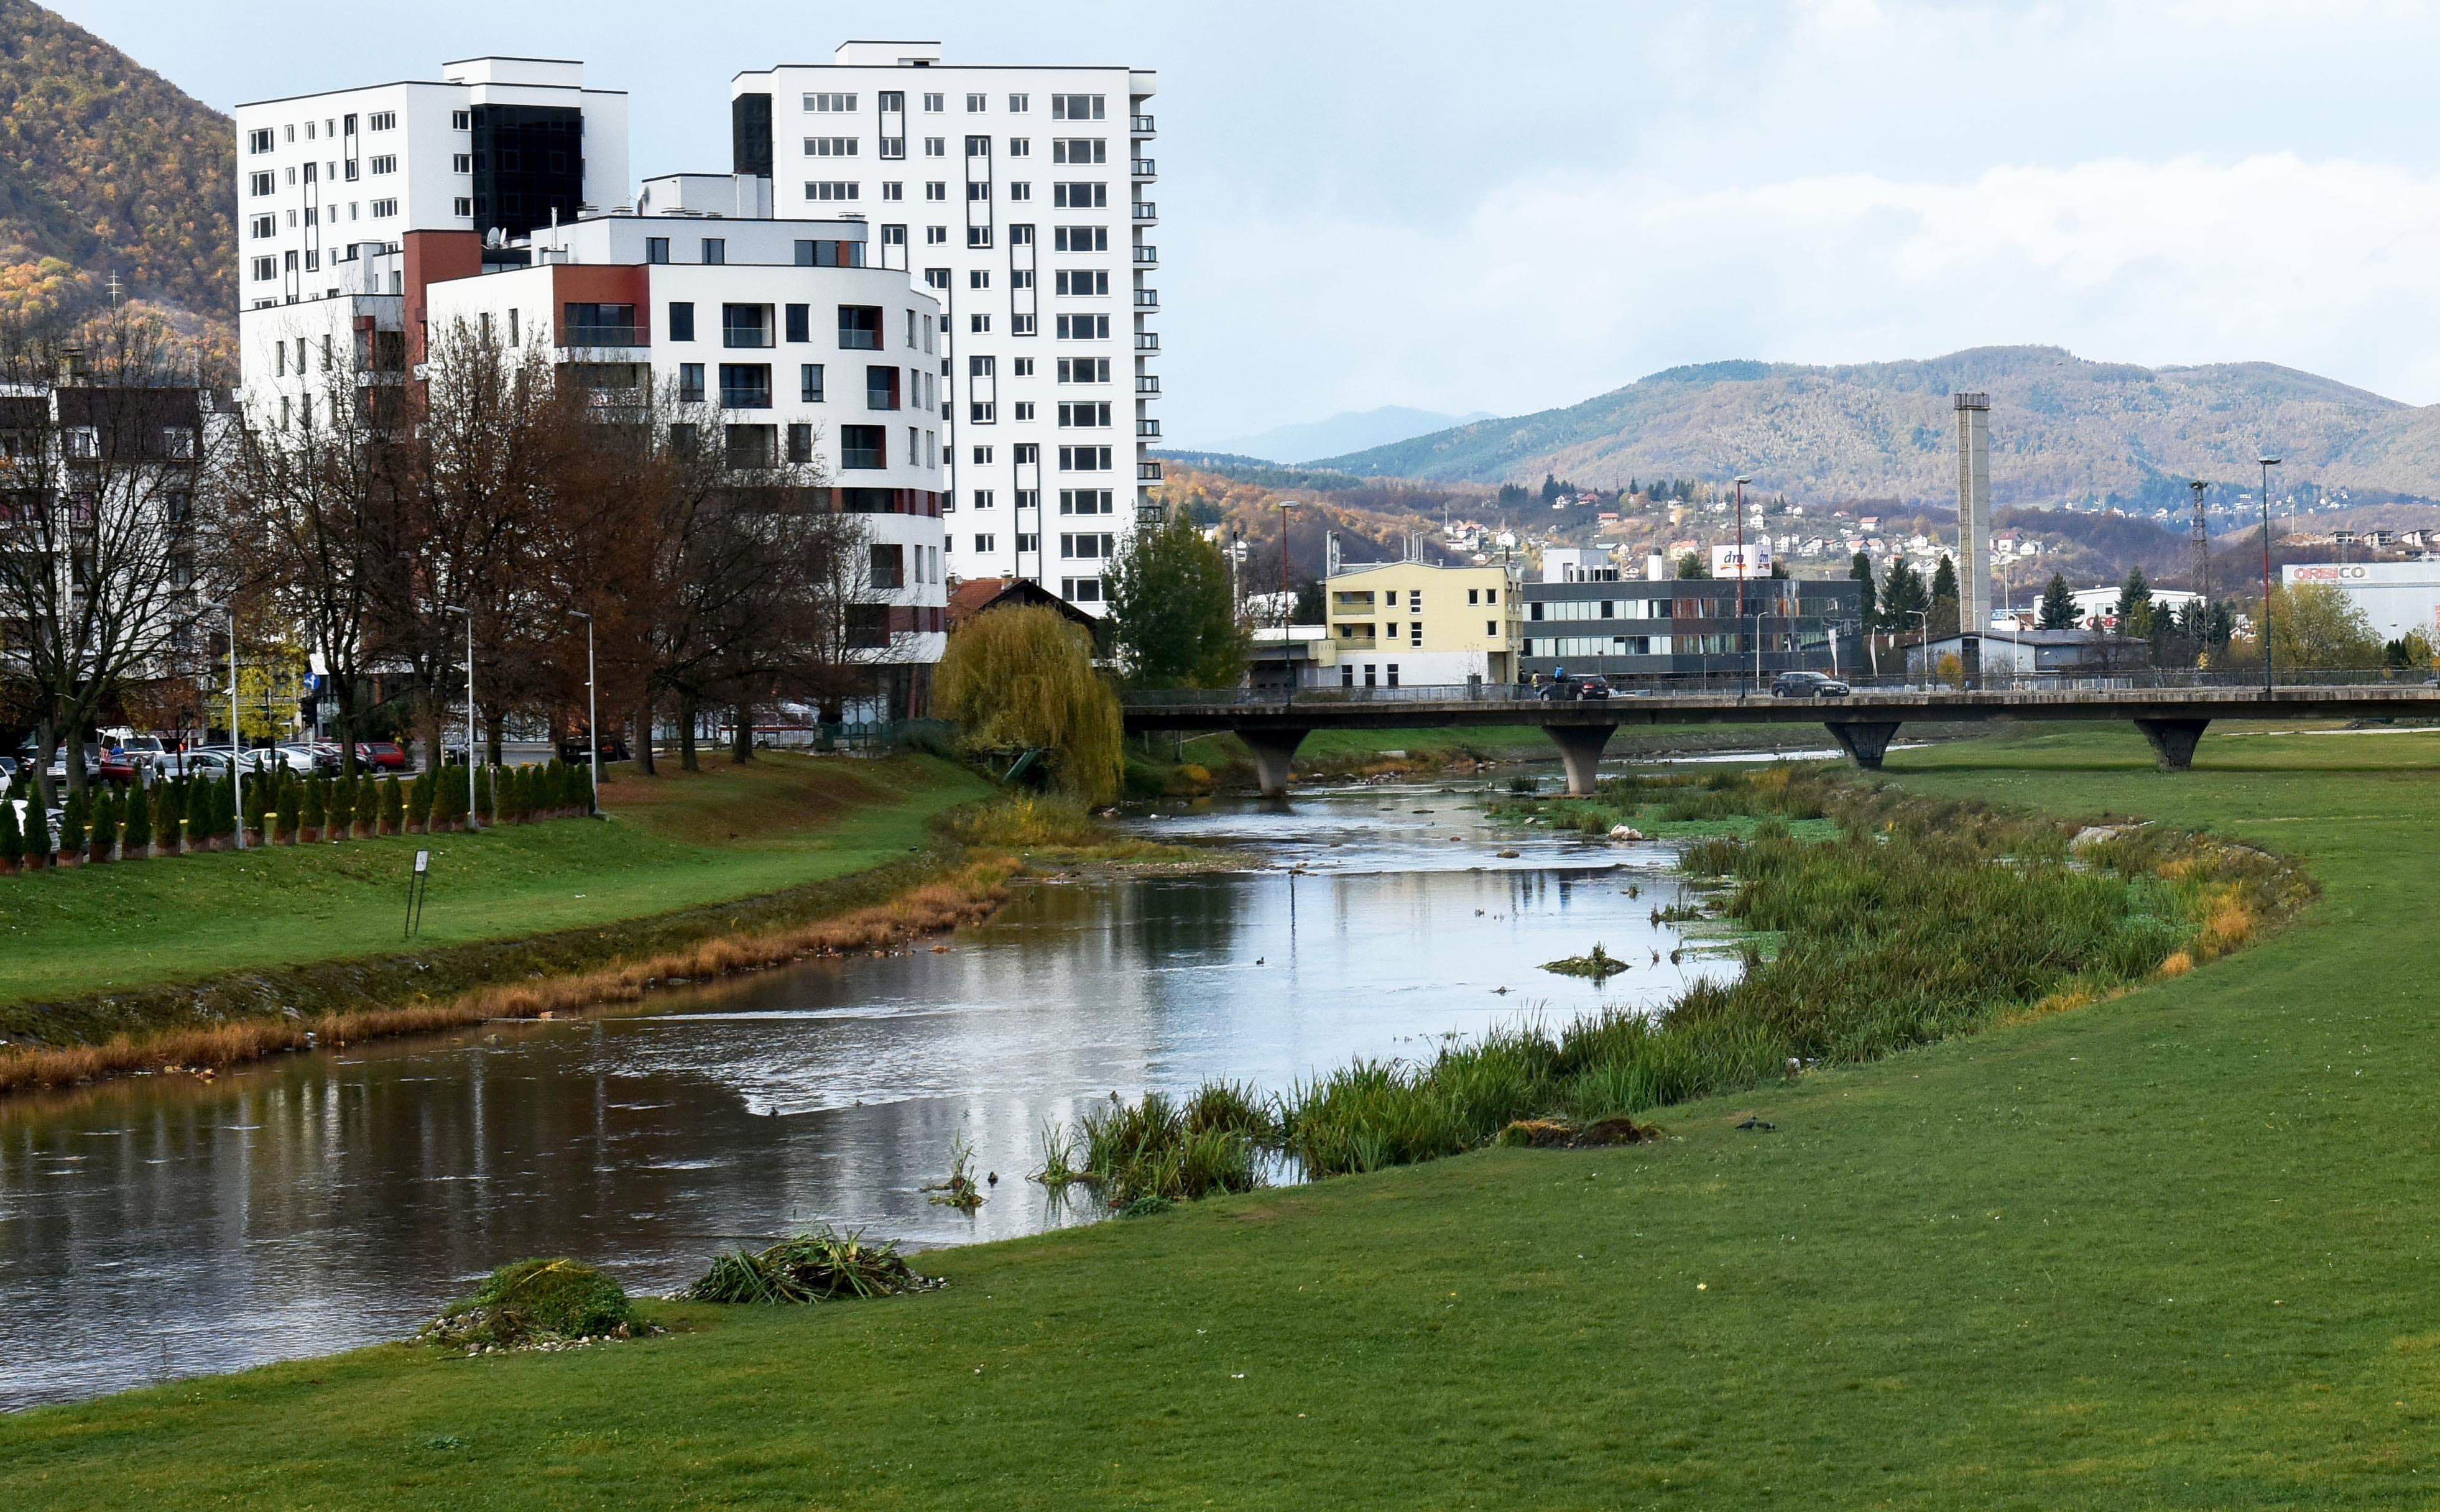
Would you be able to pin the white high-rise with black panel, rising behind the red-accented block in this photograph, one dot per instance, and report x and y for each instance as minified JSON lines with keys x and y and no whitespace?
{"x":497,"y":145}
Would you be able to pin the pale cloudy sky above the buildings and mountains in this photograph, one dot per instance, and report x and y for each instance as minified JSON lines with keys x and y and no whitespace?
{"x":1468,"y":206}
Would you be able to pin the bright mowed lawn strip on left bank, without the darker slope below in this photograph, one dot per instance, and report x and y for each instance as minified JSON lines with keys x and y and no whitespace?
{"x":670,"y":843}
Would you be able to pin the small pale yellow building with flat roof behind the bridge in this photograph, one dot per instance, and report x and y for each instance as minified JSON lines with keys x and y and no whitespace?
{"x":1419,"y":626}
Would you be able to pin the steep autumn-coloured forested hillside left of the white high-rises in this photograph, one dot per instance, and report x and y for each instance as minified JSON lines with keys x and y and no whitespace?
{"x":109,"y":169}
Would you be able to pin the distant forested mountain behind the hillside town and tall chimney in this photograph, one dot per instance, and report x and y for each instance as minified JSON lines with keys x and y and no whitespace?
{"x":2063,"y":428}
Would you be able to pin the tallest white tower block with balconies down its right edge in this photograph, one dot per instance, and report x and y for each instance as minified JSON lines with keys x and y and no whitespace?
{"x":1021,"y":199}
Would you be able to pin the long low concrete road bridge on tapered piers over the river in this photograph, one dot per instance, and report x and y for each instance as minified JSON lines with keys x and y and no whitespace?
{"x":1863,"y":723}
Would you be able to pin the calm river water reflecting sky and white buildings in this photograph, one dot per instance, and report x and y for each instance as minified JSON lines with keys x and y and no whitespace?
{"x":167,"y":1228}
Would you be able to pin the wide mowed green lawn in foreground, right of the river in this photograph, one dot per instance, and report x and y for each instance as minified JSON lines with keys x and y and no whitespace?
{"x":2175,"y":1250}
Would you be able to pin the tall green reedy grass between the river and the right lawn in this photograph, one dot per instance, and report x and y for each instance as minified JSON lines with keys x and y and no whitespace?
{"x":1917,"y":923}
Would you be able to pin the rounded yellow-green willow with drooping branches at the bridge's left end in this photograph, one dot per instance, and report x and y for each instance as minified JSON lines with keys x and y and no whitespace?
{"x":1024,"y":679}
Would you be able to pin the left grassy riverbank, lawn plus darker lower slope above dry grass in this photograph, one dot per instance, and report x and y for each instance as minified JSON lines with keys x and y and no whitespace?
{"x":133,"y":950}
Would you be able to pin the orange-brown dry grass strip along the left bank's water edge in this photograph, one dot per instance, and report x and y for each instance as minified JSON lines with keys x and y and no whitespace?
{"x":931,"y":908}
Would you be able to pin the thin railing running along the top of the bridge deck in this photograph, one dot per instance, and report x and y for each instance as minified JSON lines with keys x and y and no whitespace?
{"x":1746,"y":686}
